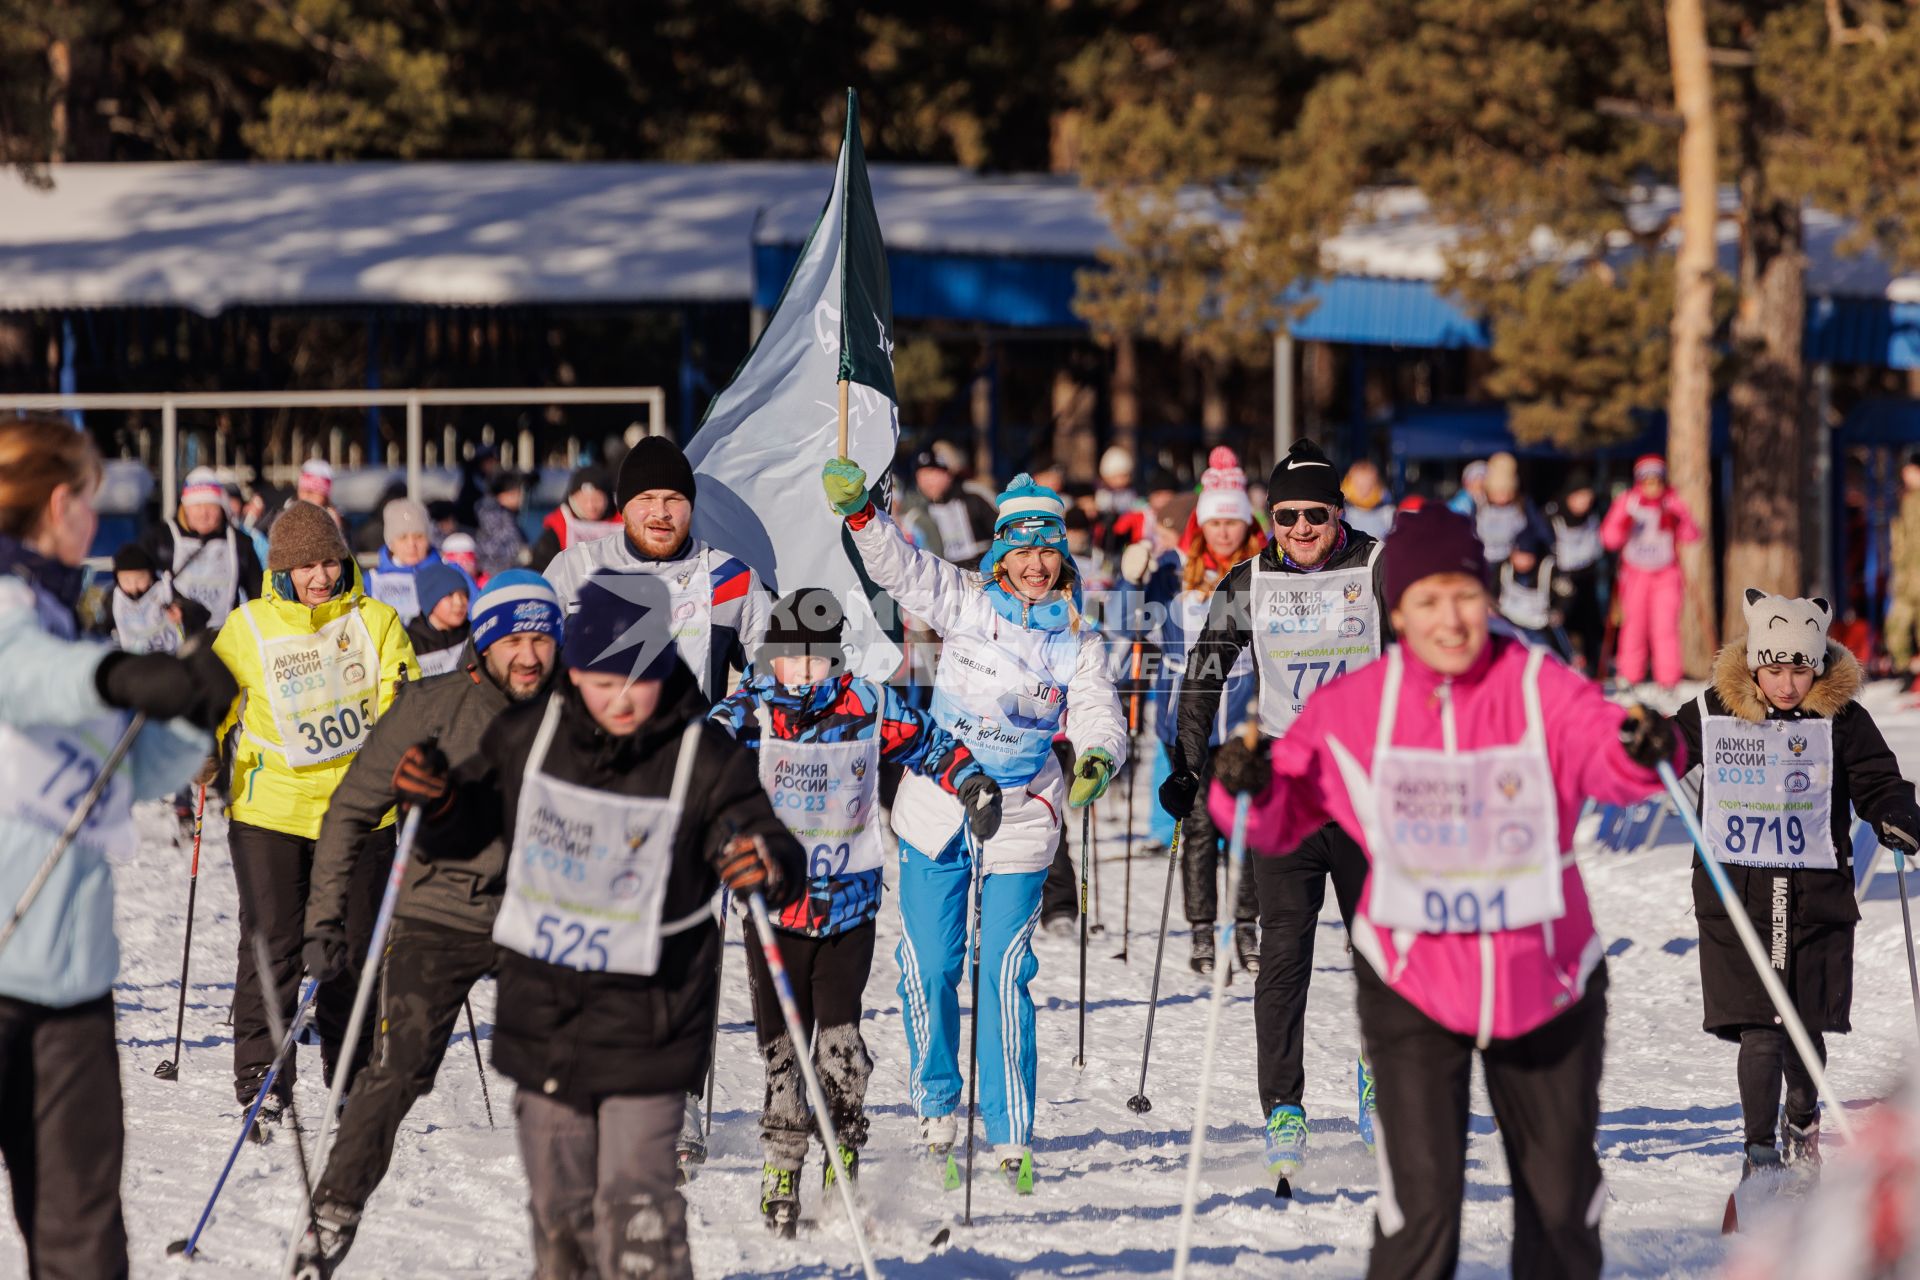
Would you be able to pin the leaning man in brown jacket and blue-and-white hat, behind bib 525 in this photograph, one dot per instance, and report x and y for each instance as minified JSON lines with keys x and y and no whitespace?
{"x":441,"y":943}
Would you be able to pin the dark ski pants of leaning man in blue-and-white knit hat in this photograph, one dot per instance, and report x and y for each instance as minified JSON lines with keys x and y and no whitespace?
{"x":425,"y":978}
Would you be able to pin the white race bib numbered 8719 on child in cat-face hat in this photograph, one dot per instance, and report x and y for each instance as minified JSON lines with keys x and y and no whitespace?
{"x":1767,"y":792}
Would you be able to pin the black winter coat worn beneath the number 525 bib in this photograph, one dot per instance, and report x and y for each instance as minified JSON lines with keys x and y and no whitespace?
{"x":583,"y":1037}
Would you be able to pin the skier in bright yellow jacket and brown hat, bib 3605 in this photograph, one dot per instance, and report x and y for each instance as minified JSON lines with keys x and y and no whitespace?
{"x":318,"y":661}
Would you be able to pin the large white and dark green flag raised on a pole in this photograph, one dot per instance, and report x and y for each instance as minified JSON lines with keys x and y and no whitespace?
{"x":765,"y":439}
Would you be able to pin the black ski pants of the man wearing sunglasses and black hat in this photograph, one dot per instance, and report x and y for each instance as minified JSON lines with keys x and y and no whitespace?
{"x":1291,"y":891}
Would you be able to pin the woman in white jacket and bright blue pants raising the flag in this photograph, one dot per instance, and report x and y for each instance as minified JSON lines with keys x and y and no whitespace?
{"x":1017,"y":663}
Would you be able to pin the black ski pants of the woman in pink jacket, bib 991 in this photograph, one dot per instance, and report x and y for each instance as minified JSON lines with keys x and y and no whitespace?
{"x":1547,"y":1099}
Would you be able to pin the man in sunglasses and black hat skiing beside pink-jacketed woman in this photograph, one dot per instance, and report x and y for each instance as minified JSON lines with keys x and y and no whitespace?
{"x":1320,"y":569}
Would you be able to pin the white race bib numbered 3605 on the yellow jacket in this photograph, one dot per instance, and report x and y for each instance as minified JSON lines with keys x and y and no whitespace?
{"x":324,"y":690}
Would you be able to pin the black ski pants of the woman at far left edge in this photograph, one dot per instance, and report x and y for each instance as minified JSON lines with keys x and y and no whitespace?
{"x":62,"y":1137}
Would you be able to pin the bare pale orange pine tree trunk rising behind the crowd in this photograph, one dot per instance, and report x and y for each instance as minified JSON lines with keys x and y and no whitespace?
{"x":1691,"y":381}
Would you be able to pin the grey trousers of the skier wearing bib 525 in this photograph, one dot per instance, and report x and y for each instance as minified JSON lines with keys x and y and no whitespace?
{"x":602,"y":1187}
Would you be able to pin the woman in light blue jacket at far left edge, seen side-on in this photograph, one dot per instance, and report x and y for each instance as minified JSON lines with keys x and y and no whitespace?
{"x":64,"y":703}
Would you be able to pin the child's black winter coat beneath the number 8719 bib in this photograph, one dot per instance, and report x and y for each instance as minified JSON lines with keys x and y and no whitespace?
{"x":1817,"y":909}
